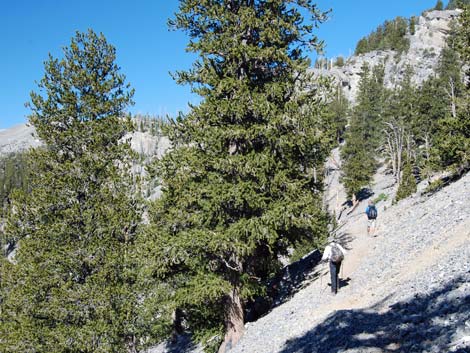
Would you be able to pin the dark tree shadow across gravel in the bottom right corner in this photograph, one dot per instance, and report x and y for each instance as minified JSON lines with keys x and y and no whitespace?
{"x":431,"y":323}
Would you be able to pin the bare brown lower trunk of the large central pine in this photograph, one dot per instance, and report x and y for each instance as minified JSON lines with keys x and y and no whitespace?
{"x":234,"y":321}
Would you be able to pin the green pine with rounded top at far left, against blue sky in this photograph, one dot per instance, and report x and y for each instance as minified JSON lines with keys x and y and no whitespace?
{"x":69,"y":287}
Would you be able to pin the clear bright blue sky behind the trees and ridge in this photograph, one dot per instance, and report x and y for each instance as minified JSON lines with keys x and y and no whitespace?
{"x":146,"y":50}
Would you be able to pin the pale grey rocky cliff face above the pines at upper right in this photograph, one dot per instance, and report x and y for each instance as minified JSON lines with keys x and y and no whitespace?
{"x":426,"y":44}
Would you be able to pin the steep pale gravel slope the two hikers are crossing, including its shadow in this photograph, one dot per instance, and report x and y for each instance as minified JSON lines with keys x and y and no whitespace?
{"x":405,"y":290}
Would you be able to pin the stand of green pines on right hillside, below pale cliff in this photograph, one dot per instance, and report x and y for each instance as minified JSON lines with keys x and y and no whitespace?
{"x":416,"y":134}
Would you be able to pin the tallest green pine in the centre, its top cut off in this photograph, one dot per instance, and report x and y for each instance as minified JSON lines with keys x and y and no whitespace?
{"x":242,"y":183}
